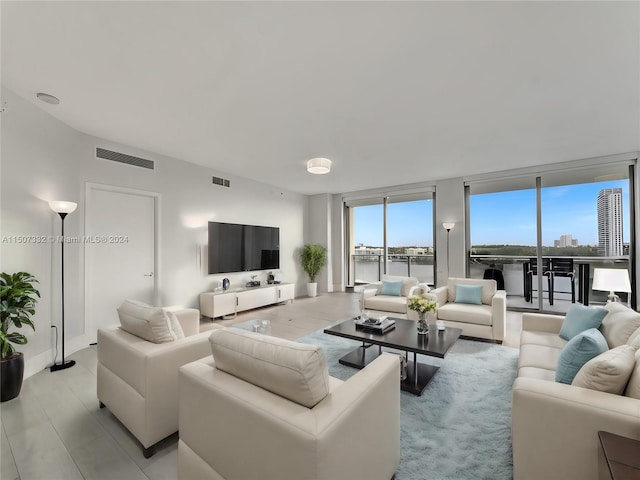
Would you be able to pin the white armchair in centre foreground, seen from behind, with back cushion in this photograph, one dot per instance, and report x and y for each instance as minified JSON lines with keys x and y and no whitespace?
{"x":265,"y":408}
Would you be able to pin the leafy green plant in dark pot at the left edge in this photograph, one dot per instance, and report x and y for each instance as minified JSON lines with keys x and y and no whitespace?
{"x":18,"y":300}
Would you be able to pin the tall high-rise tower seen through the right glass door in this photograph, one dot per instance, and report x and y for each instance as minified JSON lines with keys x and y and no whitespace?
{"x":610,"y":222}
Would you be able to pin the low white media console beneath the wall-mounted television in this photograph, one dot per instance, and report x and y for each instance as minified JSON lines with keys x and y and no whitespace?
{"x":229,"y":302}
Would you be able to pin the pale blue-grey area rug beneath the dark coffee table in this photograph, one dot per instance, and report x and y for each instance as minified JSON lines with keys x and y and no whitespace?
{"x":460,"y":428}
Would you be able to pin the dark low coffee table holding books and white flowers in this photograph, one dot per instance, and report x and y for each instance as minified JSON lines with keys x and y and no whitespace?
{"x":404,"y":337}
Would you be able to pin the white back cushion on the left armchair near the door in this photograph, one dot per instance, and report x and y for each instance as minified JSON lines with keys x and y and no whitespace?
{"x":150,"y":323}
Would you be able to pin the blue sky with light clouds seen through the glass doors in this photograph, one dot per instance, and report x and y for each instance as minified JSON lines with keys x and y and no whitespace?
{"x":498,"y":218}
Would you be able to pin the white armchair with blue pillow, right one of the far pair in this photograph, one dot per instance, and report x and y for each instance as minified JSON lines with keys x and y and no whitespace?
{"x":487,"y":320}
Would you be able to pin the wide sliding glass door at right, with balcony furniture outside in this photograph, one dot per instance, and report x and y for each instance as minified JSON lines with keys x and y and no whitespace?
{"x":542,"y":235}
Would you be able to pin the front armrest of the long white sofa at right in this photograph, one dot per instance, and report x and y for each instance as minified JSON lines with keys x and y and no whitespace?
{"x":555,"y":428}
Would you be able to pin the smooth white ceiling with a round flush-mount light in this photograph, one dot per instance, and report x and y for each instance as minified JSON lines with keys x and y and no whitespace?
{"x":392,"y":92}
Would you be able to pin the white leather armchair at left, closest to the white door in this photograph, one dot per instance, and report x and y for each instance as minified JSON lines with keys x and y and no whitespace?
{"x":137,"y":380}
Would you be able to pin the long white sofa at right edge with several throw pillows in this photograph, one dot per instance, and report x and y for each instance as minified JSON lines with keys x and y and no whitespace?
{"x":555,"y":425}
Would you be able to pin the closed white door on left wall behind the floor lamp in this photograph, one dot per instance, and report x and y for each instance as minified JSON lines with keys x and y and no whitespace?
{"x":120,"y":253}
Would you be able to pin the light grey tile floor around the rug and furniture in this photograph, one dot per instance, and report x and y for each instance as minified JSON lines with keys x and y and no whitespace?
{"x":55,"y":429}
